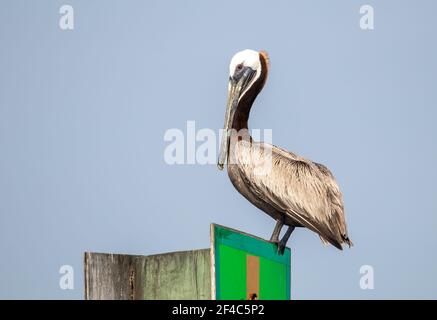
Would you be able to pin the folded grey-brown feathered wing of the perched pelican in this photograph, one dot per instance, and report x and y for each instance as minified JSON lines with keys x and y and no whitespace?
{"x":292,"y":185}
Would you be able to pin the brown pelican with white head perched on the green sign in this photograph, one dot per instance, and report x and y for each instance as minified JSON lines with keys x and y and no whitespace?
{"x":294,"y":191}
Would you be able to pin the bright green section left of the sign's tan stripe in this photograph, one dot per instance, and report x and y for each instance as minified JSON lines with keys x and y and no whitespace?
{"x":232,"y":273}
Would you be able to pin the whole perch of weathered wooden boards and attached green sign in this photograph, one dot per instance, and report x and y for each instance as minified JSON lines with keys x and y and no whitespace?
{"x":237,"y":266}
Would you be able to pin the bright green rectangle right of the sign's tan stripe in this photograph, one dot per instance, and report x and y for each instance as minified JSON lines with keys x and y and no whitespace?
{"x":273,"y":280}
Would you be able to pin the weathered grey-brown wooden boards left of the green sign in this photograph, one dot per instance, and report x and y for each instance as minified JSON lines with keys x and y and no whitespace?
{"x":177,"y":275}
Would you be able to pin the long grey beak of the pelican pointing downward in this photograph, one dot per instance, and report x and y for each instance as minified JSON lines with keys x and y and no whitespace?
{"x":235,"y":89}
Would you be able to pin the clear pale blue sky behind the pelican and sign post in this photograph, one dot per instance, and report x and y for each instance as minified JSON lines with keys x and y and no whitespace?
{"x":83,"y":114}
